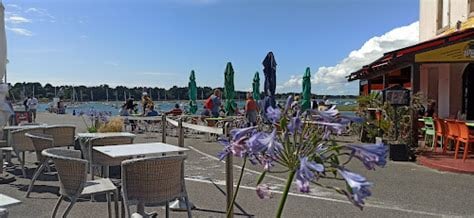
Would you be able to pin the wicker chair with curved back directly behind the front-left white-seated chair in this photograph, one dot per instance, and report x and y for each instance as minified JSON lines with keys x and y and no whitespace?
{"x":40,"y":143}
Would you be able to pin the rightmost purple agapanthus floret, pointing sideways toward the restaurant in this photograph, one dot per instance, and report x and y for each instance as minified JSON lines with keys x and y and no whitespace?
{"x":371,"y":155}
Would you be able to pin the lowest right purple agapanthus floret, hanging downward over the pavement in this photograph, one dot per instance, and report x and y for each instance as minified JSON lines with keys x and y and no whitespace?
{"x":359,"y":187}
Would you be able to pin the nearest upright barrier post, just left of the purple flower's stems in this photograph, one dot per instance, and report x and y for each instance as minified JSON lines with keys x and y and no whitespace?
{"x":229,"y":181}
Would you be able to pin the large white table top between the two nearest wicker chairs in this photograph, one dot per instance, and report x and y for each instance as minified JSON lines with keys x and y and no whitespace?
{"x":142,"y":149}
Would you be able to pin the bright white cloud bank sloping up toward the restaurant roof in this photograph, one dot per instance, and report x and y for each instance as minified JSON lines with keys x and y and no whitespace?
{"x":332,"y":78}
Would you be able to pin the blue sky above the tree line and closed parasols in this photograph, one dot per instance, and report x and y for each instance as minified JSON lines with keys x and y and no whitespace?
{"x":158,"y":42}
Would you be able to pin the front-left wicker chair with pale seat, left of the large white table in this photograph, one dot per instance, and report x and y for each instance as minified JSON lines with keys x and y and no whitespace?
{"x":72,"y":173}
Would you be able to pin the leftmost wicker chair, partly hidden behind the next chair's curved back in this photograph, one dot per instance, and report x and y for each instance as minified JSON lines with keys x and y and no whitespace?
{"x":20,"y":144}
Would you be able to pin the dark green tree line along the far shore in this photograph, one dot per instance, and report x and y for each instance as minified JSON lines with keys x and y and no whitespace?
{"x":20,"y":91}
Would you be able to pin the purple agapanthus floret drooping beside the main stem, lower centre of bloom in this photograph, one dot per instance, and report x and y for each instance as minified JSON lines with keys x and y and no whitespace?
{"x":306,"y":173}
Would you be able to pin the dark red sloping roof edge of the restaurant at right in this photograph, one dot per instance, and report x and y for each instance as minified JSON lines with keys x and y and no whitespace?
{"x":392,"y":60}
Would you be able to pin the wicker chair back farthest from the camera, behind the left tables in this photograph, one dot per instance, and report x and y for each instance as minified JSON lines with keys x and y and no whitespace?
{"x":63,"y":135}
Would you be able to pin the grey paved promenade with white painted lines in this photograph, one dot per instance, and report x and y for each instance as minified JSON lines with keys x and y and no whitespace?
{"x":401,"y":189}
